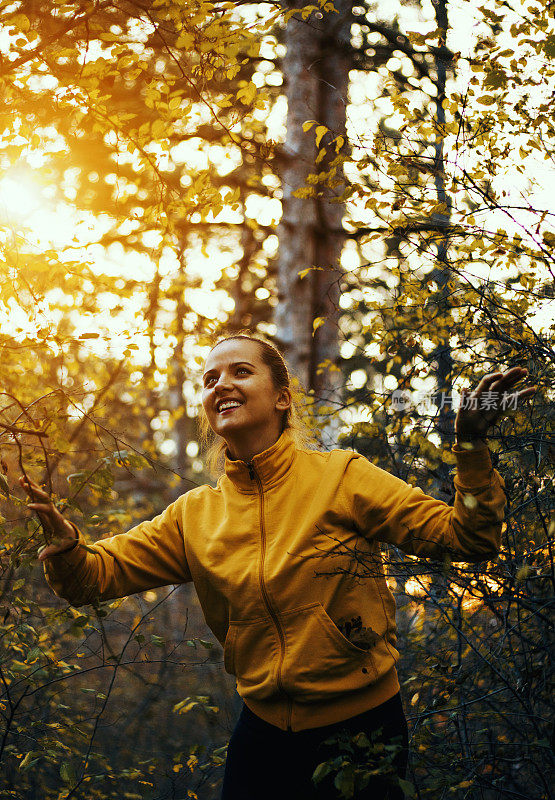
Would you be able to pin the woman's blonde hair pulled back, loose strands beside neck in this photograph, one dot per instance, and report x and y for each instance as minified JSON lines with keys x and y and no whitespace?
{"x":292,"y":420}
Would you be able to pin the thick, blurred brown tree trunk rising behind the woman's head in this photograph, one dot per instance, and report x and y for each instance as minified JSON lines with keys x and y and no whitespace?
{"x":316,"y":70}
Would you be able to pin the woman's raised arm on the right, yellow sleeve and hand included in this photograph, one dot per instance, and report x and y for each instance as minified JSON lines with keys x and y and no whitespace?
{"x":390,"y":510}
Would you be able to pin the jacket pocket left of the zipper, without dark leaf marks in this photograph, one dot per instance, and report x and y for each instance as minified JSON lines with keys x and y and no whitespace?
{"x":251,"y":653}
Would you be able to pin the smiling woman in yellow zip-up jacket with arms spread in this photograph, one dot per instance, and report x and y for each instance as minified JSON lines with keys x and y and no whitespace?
{"x":271,"y":551}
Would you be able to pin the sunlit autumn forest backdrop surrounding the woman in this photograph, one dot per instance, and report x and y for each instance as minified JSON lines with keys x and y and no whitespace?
{"x":364,"y":183}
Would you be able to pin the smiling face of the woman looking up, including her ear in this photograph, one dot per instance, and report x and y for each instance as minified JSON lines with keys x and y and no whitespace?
{"x":239,"y":395}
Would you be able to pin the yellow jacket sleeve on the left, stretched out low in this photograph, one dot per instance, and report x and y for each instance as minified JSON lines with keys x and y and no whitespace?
{"x":149,"y":555}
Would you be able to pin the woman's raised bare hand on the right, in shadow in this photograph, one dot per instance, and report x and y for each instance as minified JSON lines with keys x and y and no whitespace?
{"x":491,"y":399}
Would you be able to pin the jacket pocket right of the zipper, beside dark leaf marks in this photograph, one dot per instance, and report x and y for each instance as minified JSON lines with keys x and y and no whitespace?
{"x":320,"y":662}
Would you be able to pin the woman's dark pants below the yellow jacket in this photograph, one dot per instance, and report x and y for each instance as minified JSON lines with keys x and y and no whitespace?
{"x":267,"y":763}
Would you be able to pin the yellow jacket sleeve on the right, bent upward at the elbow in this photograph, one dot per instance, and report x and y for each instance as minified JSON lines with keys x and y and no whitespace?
{"x":390,"y":510}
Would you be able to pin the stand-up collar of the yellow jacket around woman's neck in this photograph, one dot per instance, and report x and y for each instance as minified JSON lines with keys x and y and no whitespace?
{"x":267,"y":467}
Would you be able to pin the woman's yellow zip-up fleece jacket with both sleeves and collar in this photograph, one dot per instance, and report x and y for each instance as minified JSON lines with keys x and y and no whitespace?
{"x":285,"y":551}
